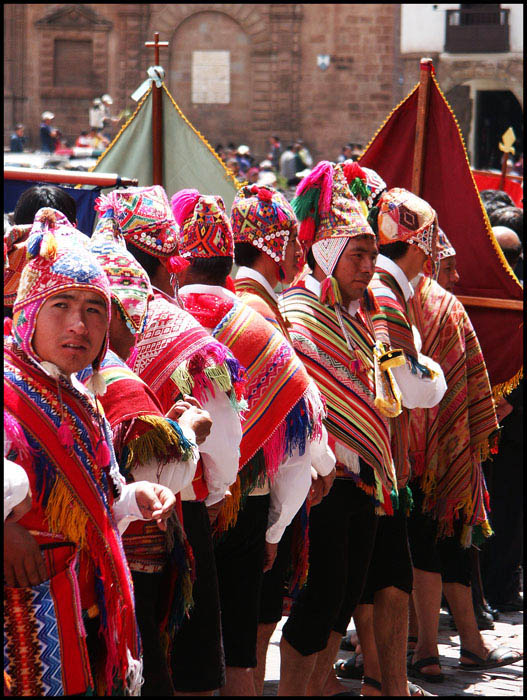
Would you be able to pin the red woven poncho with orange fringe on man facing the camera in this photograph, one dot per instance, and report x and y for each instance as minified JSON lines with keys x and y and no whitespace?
{"x":72,"y":499}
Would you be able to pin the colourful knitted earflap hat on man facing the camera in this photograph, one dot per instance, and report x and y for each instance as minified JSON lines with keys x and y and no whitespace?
{"x":57,"y":262}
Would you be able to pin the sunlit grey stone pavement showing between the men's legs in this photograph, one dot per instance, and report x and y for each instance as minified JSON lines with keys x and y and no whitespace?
{"x":503,"y":681}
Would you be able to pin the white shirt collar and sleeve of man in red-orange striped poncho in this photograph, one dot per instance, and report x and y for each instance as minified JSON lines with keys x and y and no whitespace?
{"x":292,"y":481}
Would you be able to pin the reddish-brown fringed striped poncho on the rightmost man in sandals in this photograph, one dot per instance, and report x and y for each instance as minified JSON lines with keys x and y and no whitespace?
{"x":449,"y":441}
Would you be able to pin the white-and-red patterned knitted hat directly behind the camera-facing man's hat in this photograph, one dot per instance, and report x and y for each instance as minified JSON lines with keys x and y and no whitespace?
{"x":129,"y":283}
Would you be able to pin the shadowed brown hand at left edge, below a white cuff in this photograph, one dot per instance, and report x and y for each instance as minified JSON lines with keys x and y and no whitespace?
{"x":23,"y":562}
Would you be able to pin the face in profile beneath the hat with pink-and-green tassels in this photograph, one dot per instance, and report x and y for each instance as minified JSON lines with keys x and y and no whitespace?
{"x":356,"y":266}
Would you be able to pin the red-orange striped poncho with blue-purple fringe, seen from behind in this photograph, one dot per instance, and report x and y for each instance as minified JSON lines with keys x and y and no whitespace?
{"x":283,"y":412}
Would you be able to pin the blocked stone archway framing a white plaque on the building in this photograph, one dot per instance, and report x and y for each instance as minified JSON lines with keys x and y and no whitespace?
{"x":210,"y":76}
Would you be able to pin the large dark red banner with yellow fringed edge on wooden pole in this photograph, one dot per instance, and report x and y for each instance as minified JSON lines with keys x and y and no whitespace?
{"x":448,"y":185}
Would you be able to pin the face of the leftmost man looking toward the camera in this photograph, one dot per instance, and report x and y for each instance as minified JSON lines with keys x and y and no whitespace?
{"x":70,"y":329}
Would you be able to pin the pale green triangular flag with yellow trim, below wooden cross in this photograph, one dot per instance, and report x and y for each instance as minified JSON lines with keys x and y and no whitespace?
{"x":188,"y":159}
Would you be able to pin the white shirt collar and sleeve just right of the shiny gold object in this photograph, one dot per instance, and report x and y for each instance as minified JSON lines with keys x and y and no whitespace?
{"x":417,"y":391}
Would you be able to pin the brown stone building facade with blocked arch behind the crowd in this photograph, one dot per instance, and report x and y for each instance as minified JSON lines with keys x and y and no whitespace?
{"x":269,"y":70}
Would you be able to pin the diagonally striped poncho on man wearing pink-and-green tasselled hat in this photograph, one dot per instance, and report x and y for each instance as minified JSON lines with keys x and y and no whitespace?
{"x":348,"y":387}
